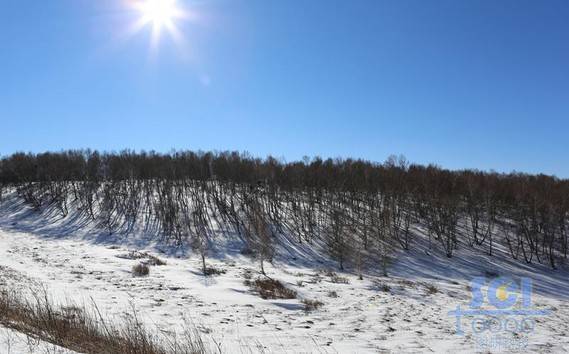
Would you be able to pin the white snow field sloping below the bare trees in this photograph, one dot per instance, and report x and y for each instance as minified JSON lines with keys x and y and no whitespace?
{"x":407,"y":312}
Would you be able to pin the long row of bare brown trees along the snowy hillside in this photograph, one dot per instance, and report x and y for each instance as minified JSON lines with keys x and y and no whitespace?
{"x":359,"y":211}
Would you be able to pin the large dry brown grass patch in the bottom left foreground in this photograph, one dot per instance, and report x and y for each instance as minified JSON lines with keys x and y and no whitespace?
{"x":75,"y":328}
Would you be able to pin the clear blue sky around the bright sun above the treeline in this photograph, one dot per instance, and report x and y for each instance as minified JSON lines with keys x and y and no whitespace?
{"x":464,"y":84}
